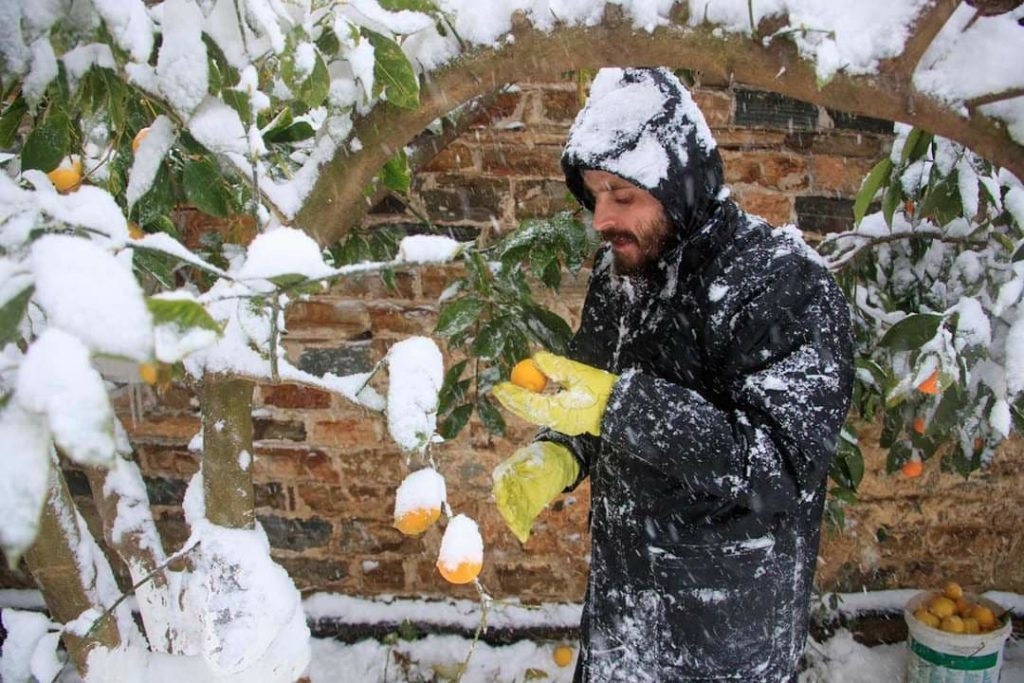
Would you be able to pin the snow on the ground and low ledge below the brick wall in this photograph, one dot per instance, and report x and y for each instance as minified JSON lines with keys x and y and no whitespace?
{"x":393,"y":660}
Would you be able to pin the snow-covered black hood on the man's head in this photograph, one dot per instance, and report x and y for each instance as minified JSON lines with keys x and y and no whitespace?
{"x":643,"y":125}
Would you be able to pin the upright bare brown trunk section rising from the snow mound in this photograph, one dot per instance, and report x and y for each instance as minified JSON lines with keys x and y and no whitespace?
{"x":228,"y":445}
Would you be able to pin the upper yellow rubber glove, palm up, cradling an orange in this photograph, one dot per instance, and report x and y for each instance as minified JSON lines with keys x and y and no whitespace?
{"x":577,"y":409}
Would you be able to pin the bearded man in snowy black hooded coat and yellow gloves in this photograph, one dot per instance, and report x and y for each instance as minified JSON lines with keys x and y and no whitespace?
{"x":708,"y":386}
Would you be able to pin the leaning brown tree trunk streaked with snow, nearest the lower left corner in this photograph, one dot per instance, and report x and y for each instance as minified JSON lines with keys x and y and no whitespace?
{"x":68,"y":567}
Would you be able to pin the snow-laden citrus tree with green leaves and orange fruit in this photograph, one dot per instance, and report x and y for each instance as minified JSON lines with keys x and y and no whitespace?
{"x":282,"y":118}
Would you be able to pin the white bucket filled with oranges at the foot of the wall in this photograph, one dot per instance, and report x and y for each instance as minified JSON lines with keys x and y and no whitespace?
{"x":955,"y":636}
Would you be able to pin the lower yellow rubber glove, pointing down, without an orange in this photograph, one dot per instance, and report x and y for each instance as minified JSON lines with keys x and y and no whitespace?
{"x":529,"y":481}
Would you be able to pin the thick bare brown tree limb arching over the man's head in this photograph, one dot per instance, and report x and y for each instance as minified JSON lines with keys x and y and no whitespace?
{"x":336,"y":202}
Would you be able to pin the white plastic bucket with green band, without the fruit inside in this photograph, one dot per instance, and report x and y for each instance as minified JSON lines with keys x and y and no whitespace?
{"x":937,"y":657}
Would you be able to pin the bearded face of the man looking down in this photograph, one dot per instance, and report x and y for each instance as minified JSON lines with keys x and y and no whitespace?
{"x":629,"y":219}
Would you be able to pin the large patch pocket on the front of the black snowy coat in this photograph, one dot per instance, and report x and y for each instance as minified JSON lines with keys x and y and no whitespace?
{"x":720,"y":606}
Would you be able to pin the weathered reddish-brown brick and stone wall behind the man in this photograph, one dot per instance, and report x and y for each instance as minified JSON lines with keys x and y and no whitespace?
{"x":326,"y":472}
